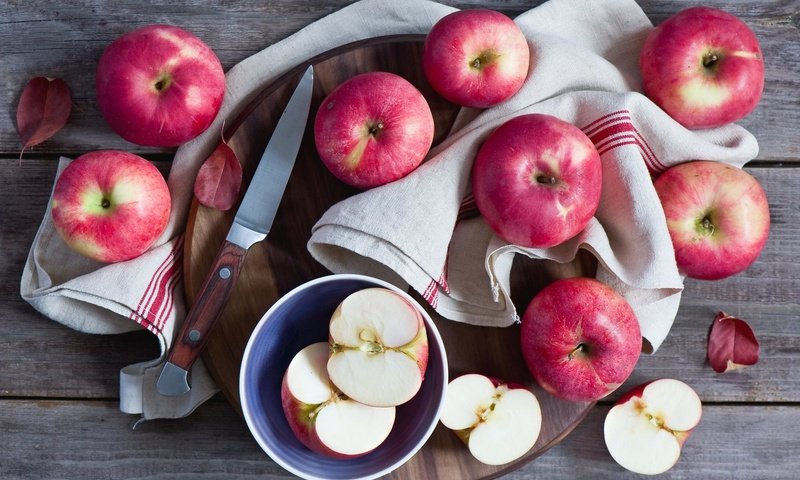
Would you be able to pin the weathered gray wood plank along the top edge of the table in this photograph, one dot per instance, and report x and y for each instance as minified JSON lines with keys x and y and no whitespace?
{"x":66,"y":41}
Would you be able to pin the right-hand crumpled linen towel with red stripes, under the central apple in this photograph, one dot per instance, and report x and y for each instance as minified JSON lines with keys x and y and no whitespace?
{"x":584,"y":70}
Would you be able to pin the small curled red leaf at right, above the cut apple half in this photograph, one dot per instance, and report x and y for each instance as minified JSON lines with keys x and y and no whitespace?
{"x":731,"y":344}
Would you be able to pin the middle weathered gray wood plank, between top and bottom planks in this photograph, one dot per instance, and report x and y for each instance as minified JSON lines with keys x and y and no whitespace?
{"x":71,"y":364}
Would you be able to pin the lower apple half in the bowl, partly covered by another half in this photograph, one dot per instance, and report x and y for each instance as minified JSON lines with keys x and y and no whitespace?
{"x":321,"y":417}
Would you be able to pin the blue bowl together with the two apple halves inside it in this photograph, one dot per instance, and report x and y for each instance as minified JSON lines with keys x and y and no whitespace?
{"x":343,"y":377}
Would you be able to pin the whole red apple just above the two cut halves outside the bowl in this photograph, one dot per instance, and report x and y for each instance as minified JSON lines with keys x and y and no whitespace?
{"x":580,"y":339}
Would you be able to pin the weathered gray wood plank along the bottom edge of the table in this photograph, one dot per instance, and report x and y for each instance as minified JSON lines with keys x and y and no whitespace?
{"x":90,"y":440}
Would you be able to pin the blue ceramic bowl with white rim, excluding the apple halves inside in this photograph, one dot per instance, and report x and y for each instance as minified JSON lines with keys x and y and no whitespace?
{"x":298,"y":319}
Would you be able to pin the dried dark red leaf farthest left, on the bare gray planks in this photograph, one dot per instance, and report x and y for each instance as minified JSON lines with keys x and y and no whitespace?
{"x":43,"y":110}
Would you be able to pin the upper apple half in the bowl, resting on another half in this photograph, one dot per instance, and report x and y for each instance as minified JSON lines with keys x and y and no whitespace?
{"x":379,"y":348}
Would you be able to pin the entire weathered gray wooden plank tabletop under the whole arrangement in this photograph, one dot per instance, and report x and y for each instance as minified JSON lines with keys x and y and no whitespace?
{"x":59,"y":408}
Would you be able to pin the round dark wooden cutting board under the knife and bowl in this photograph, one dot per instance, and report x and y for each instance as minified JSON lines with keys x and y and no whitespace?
{"x":281,"y":262}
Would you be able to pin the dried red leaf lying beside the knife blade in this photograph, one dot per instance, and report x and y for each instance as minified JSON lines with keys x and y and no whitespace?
{"x":219,"y":180}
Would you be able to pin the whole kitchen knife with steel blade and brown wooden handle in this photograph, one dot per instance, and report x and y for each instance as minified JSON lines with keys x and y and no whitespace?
{"x":251,"y":224}
